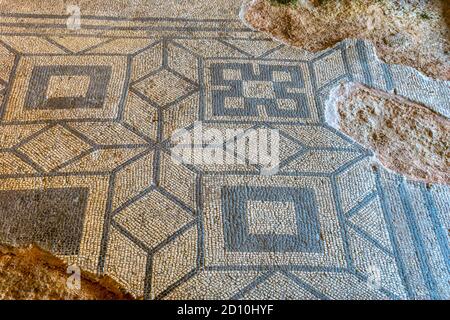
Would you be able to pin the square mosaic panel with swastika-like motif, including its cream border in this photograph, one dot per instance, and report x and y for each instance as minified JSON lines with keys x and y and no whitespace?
{"x":259,"y":91}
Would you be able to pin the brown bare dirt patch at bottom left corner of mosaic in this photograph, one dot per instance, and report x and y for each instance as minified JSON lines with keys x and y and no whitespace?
{"x":31,"y":273}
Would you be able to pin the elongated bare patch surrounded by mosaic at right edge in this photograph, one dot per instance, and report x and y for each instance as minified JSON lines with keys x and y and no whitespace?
{"x":406,"y":137}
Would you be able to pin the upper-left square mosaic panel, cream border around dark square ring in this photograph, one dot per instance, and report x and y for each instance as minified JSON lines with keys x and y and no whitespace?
{"x":50,"y":92}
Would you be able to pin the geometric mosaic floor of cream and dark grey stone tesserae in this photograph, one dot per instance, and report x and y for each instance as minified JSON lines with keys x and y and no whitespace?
{"x":86,"y":119}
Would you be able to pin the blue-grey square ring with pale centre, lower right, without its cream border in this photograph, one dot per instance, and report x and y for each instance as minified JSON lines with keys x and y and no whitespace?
{"x":277,"y":219}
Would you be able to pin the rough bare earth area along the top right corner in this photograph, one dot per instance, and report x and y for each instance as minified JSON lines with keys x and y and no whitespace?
{"x":412,"y":32}
